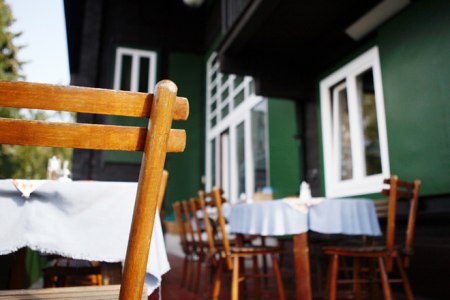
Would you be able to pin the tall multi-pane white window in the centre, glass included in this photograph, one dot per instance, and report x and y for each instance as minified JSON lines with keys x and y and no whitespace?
{"x":236,"y":134}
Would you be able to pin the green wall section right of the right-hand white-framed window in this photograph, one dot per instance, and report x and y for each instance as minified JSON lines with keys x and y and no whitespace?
{"x":415,"y":64}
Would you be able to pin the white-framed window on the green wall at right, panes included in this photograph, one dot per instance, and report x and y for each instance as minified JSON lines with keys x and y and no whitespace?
{"x":354,"y":128}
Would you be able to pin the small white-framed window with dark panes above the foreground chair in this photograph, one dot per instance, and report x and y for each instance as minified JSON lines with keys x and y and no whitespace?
{"x":135,"y":70}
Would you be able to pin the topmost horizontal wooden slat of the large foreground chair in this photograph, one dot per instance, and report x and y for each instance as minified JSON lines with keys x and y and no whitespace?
{"x":84,"y":100}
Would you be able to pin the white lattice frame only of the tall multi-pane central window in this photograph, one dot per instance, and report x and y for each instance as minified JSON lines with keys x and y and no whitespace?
{"x":236,"y":115}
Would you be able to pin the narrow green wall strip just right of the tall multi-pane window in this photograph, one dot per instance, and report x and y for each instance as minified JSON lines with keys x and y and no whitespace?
{"x":285,"y":163}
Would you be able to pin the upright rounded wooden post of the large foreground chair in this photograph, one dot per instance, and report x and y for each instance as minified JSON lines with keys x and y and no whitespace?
{"x":147,"y":195}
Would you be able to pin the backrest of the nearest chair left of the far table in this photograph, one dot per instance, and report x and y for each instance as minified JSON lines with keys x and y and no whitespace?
{"x":215,"y":227}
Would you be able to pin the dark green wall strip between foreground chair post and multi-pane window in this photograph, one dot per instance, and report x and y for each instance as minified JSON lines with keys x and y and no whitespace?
{"x":186,"y":169}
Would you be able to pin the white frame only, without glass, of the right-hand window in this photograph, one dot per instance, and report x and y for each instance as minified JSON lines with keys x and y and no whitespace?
{"x":360,"y":183}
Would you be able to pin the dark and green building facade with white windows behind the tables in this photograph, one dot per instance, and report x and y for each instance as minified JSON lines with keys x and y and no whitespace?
{"x":339,"y":94}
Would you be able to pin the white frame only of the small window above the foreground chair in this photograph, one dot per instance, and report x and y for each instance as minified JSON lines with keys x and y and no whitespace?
{"x":135,"y":54}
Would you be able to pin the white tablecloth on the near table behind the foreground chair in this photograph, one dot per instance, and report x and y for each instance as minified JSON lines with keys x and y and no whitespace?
{"x":87,"y":220}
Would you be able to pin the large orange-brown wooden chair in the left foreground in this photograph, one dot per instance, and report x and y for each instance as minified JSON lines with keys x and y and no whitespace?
{"x":155,"y":141}
